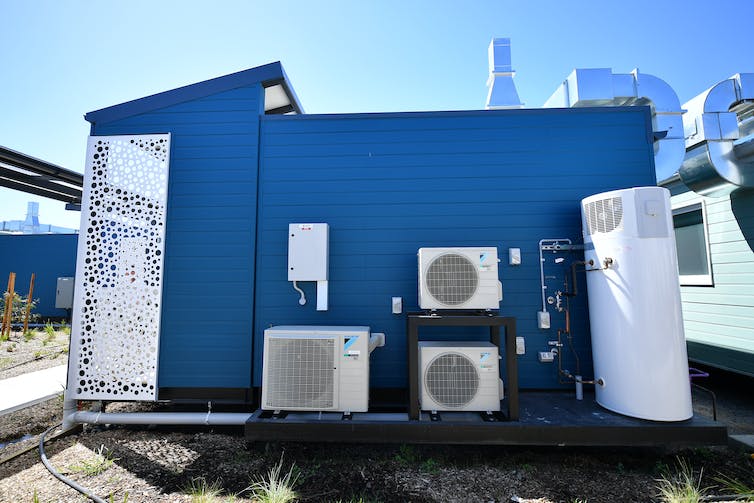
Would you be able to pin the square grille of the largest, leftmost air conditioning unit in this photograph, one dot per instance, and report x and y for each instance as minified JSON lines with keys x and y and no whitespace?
{"x":300,"y":373}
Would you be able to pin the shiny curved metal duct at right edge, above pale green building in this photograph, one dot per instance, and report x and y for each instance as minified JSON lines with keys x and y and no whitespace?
{"x":719,"y":127}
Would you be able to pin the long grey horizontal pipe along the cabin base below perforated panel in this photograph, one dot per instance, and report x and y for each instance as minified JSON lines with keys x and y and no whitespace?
{"x":167,"y":418}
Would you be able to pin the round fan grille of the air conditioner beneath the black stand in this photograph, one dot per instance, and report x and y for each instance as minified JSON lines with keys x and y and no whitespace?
{"x":451,"y":380}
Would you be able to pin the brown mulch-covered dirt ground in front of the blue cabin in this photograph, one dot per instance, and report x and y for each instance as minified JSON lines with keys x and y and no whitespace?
{"x":159,"y":465}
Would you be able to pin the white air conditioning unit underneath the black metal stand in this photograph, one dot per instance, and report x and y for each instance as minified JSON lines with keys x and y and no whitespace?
{"x":459,"y":376}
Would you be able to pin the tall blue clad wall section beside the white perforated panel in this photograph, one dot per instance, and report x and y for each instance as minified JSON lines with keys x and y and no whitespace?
{"x":208,"y":289}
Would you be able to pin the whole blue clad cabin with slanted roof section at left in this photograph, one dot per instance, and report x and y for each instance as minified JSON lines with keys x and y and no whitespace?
{"x":246,"y":162}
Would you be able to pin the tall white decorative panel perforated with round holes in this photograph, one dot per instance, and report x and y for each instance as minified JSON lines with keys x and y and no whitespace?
{"x":118,"y":294}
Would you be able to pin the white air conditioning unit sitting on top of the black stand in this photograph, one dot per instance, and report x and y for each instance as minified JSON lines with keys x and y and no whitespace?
{"x":459,"y":278}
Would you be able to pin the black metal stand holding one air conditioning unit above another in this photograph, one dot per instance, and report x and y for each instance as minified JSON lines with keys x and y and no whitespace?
{"x":416,"y":320}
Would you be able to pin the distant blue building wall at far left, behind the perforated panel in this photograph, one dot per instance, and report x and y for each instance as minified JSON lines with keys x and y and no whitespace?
{"x":48,"y":256}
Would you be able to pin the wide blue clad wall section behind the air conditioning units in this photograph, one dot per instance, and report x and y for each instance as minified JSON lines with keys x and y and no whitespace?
{"x":388,"y":184}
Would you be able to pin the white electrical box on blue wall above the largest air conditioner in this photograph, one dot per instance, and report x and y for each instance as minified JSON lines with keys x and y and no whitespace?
{"x":308,"y":250}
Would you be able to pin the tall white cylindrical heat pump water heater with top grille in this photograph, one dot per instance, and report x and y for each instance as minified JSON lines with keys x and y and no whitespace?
{"x":638,"y":343}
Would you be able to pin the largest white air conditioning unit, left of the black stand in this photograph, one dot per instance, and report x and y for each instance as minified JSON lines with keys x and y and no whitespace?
{"x":317,"y":368}
